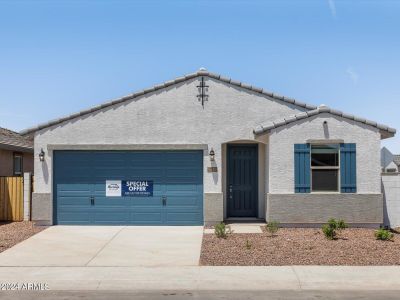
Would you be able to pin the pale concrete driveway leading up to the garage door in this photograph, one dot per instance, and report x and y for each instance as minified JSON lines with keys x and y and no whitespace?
{"x":108,"y":246}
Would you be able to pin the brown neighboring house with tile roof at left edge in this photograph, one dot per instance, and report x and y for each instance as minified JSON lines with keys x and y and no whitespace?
{"x":16,"y":153}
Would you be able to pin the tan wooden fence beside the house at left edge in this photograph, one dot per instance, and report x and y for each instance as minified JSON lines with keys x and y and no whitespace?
{"x":11,"y":198}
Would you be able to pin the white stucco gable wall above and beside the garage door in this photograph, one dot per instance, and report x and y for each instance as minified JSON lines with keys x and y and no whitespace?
{"x":169,"y":116}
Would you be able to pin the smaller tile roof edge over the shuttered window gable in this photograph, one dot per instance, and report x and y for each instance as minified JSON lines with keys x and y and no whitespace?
{"x":321,"y":109}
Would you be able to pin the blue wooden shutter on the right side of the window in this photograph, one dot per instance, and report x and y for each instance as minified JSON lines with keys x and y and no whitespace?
{"x":348,"y":170}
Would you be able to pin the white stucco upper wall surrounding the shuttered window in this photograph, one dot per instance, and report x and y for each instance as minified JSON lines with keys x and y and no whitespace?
{"x":281,"y":160}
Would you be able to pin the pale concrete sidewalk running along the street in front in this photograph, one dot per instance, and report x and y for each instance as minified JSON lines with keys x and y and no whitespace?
{"x":207,"y":278}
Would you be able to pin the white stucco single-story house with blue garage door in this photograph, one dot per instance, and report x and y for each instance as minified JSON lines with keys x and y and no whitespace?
{"x":203,"y":148}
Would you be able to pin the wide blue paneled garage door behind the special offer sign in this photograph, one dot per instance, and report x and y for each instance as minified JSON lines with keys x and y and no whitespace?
{"x":80,"y":187}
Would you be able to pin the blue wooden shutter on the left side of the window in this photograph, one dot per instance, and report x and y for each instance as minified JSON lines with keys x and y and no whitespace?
{"x":302,"y":168}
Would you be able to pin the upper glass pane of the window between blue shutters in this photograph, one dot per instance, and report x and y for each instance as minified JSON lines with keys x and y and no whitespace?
{"x":324,"y":155}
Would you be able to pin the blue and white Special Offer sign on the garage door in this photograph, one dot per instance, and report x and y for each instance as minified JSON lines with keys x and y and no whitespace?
{"x":129,"y":188}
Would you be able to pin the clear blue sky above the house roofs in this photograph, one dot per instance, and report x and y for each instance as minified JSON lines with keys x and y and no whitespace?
{"x":59,"y":57}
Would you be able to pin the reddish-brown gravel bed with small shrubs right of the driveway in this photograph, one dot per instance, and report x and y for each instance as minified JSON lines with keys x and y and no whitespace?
{"x":300,"y":246}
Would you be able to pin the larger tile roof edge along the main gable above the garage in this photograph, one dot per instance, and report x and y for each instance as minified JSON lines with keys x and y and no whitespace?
{"x":201,"y":72}
